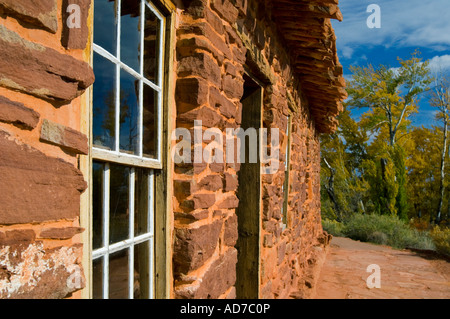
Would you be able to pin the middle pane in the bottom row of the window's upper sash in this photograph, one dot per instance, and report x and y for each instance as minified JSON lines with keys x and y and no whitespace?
{"x":129,"y":113}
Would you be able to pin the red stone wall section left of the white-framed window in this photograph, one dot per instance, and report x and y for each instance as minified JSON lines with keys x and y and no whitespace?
{"x":42,"y":75}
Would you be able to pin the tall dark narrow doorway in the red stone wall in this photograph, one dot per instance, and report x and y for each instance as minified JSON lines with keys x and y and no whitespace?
{"x":249,"y":194}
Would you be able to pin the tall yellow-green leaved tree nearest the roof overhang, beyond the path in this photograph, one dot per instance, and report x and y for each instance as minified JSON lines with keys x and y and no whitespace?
{"x":389,"y":97}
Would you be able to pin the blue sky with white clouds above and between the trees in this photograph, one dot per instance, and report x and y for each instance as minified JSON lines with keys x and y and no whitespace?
{"x":406,"y":25}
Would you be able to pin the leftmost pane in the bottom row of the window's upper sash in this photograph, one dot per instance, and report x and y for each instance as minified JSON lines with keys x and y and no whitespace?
{"x":104,"y":103}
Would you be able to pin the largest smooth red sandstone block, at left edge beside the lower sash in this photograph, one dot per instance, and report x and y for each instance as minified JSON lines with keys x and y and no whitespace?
{"x":35,"y":187}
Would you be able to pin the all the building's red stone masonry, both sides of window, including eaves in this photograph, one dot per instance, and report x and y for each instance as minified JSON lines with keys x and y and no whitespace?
{"x":45,"y":74}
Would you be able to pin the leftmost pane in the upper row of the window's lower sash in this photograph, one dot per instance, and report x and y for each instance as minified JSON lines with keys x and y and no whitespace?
{"x":97,"y":198}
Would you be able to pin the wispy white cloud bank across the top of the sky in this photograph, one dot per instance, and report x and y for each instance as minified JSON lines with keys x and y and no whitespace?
{"x":408,"y":23}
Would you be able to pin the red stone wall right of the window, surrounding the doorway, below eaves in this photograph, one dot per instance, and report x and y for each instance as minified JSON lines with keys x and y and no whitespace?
{"x":215,"y":39}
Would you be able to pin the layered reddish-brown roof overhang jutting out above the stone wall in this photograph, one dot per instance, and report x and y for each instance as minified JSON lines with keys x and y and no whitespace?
{"x":306,"y":27}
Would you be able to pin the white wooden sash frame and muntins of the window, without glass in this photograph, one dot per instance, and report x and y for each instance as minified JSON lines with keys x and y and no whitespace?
{"x":129,"y":160}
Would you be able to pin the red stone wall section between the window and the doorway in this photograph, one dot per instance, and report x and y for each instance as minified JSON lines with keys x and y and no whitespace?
{"x":210,"y":58}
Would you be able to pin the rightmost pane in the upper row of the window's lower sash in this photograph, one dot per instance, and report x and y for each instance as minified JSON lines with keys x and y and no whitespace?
{"x":141,"y":202}
